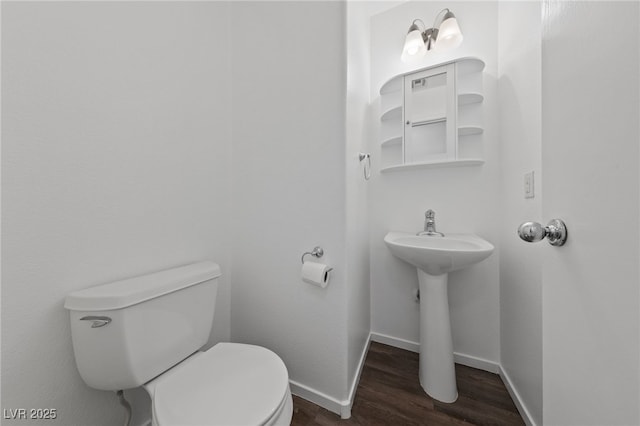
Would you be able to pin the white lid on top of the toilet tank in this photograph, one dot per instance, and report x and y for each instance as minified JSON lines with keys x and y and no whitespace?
{"x":120,"y":294}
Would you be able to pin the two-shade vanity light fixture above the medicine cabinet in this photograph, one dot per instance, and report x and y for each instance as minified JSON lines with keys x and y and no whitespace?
{"x":446,"y":35}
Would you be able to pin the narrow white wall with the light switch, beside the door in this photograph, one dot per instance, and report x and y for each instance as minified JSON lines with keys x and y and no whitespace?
{"x":519,"y":94}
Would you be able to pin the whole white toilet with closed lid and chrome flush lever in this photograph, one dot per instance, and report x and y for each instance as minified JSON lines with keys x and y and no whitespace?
{"x":147,"y":331}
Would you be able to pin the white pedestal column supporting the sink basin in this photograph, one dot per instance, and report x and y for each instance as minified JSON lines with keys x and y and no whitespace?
{"x":437,"y":369}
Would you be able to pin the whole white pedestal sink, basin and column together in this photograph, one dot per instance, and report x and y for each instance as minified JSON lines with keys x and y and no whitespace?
{"x":435,"y":257}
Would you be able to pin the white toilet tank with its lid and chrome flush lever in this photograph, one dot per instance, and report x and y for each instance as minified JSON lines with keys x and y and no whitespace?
{"x":127,"y":332}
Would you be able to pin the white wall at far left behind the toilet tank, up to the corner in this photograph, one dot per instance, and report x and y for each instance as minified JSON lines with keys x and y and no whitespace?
{"x":115,"y":162}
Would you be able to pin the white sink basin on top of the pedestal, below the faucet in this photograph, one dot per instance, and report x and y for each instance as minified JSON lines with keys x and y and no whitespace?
{"x":437,"y":255}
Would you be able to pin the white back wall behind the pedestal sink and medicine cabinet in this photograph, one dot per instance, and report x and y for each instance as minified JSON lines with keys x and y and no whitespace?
{"x":465,"y":199}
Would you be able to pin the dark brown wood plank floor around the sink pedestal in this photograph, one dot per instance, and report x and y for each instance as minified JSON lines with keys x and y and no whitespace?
{"x":389,"y":393}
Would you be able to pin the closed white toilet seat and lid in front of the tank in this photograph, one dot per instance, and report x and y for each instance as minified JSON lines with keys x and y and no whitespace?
{"x":230,"y":384}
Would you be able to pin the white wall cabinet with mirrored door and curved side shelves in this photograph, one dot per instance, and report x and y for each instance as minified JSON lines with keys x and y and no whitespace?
{"x":433,"y":117}
